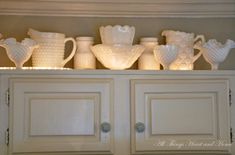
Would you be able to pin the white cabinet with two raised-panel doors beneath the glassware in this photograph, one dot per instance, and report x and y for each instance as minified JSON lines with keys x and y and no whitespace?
{"x":116,"y":112}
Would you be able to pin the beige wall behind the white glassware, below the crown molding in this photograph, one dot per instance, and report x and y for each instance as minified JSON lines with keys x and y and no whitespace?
{"x":221,"y":29}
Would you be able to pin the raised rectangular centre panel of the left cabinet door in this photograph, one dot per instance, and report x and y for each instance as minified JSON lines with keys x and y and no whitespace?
{"x":59,"y":114}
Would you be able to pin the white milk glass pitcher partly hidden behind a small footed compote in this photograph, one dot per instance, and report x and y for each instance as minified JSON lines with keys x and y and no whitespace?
{"x":185,"y":42}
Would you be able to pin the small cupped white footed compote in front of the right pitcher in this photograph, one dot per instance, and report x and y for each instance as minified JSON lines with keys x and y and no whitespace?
{"x":165,"y":54}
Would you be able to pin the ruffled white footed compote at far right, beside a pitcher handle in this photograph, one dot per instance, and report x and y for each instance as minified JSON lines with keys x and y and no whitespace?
{"x":215,"y":53}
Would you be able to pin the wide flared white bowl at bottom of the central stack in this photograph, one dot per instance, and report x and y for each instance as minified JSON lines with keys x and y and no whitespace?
{"x":117,"y":57}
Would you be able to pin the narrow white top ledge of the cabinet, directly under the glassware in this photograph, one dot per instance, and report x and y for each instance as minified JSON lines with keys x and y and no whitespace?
{"x":160,"y":74}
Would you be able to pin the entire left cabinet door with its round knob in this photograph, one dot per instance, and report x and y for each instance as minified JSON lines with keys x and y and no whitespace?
{"x":61,"y":115}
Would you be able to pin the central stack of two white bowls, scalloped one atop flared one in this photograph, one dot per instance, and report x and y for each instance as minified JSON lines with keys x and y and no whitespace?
{"x":116,"y":51}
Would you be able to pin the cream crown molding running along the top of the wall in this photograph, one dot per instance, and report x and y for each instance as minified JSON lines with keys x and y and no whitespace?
{"x":120,"y":8}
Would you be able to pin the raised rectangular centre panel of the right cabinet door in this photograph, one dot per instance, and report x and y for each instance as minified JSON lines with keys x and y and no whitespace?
{"x":181,"y":114}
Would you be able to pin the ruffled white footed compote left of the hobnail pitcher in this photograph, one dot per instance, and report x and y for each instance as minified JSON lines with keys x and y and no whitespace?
{"x":18,"y":52}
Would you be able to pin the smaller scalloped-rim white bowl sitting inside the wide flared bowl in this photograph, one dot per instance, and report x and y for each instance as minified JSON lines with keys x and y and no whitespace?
{"x":117,"y":34}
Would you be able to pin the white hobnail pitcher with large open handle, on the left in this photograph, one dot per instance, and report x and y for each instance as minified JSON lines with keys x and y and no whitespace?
{"x":51,"y":49}
